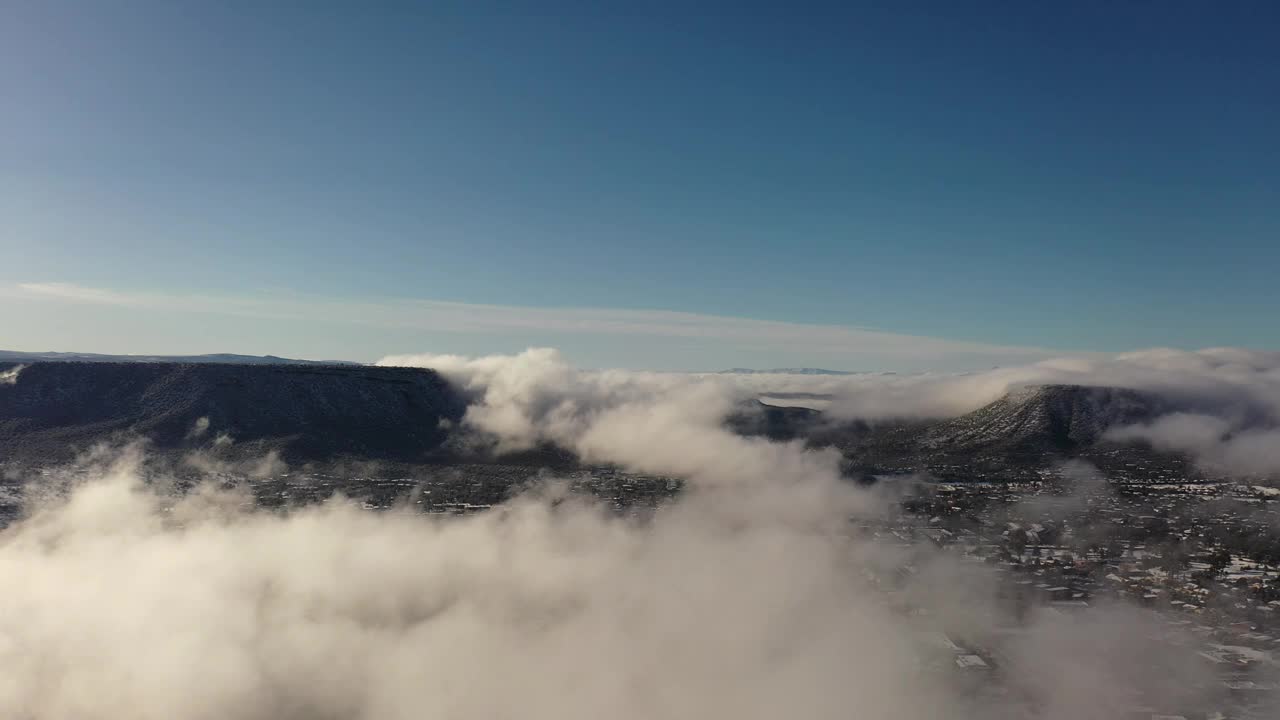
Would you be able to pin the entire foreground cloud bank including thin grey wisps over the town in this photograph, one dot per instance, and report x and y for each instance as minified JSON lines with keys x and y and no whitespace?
{"x":124,"y":601}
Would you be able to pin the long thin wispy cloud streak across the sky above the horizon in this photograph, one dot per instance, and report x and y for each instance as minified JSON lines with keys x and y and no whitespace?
{"x":435,"y":316}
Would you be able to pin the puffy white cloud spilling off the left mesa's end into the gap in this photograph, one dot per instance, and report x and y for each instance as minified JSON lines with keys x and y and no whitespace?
{"x":647,"y":422}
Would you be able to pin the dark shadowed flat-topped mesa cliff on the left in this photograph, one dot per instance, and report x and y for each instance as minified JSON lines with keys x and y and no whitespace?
{"x":308,"y":413}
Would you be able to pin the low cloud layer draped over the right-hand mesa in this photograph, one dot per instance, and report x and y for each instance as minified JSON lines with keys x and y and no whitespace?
{"x":1227,"y":400}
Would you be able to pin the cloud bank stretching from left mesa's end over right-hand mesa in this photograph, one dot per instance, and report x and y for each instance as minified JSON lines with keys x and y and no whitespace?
{"x":1228,"y":404}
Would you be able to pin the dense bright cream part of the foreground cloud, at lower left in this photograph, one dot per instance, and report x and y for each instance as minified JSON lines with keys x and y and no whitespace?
{"x":121,"y":608}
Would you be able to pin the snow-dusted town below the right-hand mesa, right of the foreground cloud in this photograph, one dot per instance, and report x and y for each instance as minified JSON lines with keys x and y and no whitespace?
{"x":1197,"y":563}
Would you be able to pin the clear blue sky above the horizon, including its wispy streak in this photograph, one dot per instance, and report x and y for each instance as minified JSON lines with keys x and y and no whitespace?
{"x":1007,"y":177}
